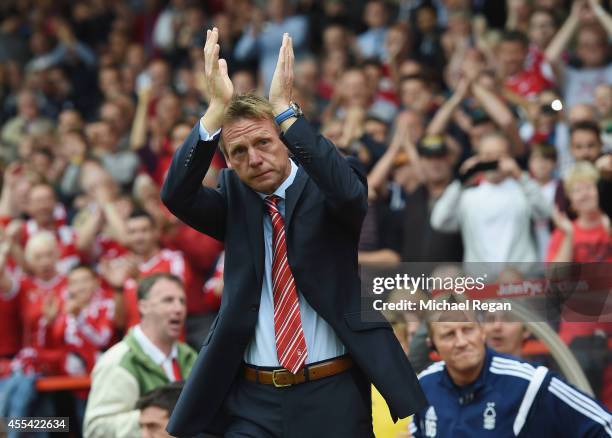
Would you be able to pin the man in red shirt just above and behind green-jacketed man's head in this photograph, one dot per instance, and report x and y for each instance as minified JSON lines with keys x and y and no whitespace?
{"x":144,"y":257}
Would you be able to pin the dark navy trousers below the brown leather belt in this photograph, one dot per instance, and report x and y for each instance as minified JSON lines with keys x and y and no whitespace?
{"x":337,"y":406}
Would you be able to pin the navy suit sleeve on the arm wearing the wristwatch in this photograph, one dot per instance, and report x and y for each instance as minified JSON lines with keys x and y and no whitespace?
{"x":340,"y":180}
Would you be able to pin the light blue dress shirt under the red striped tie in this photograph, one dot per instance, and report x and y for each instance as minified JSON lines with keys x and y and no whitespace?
{"x":322,"y":343}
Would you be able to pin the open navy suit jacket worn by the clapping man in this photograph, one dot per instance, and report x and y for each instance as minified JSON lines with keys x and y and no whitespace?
{"x":324,"y":209}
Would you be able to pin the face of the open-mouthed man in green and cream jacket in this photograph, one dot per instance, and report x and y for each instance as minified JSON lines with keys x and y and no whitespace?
{"x":165,"y":309}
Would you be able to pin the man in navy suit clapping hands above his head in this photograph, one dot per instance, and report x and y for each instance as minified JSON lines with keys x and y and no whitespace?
{"x":289,"y":354}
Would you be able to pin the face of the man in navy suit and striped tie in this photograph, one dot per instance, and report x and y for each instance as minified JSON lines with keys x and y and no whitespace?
{"x":256,"y":153}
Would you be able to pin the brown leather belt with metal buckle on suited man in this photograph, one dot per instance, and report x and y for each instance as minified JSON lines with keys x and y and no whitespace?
{"x":281,"y":378}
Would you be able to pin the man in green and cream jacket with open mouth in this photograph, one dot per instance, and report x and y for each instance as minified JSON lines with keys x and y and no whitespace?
{"x":148,"y":357}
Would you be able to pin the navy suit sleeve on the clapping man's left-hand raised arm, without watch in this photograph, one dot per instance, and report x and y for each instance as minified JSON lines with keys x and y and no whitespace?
{"x":200,"y":207}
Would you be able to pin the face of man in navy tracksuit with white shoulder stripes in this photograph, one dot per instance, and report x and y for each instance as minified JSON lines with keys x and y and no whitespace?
{"x":460,"y":344}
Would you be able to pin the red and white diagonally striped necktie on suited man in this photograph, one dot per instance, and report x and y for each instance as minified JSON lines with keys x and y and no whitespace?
{"x":290,"y":341}
